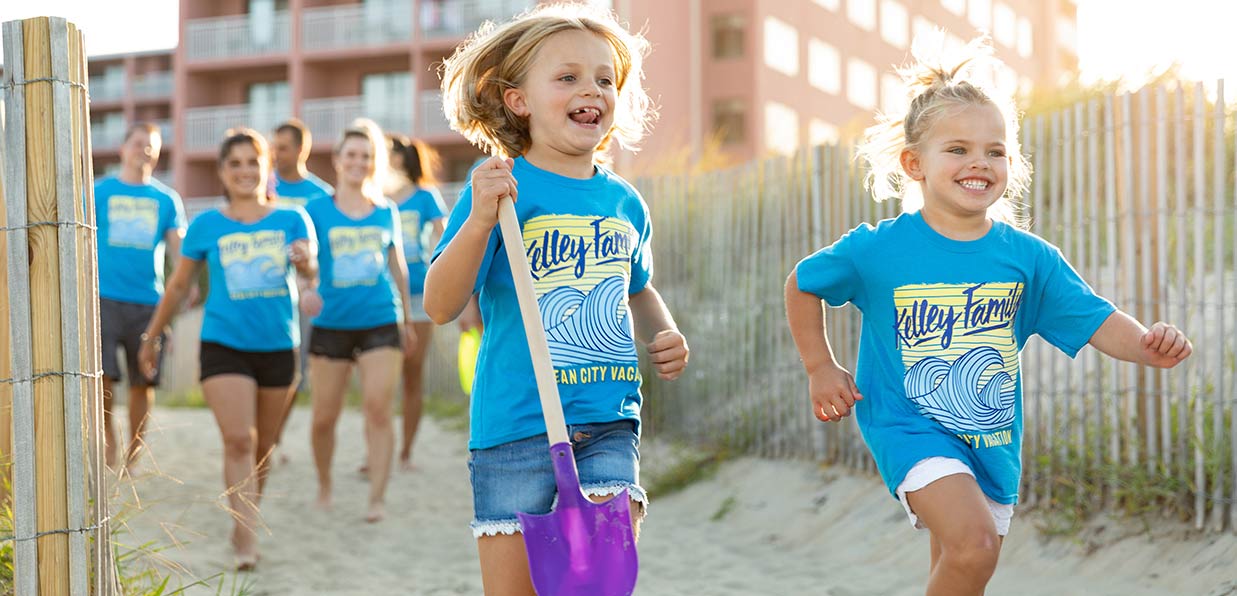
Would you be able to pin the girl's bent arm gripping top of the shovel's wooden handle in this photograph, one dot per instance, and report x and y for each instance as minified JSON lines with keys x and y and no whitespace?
{"x":452,"y":276}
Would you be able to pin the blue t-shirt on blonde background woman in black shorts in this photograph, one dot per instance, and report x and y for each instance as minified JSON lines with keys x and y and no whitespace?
{"x":354,"y":276}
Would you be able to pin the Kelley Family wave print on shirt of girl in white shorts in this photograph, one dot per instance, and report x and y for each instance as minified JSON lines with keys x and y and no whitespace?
{"x":961,"y":354}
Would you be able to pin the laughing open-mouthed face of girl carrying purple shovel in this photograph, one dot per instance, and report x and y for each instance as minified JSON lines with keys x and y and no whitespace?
{"x":568,"y":97}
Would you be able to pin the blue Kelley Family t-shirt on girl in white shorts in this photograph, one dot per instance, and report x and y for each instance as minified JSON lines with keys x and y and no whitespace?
{"x":944,"y":322}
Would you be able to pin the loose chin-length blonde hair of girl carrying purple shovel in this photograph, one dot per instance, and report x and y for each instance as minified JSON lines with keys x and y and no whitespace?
{"x":497,"y":59}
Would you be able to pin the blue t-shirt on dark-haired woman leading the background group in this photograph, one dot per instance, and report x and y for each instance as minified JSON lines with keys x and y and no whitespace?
{"x":252,"y":305}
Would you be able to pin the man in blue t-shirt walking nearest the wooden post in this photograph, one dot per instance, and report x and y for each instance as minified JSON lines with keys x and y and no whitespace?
{"x":142,"y":223}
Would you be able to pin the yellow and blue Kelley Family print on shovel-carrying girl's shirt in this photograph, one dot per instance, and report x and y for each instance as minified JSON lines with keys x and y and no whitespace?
{"x":581,"y":268}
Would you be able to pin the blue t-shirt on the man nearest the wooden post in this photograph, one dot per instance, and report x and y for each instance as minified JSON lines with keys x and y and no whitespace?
{"x":134,"y":221}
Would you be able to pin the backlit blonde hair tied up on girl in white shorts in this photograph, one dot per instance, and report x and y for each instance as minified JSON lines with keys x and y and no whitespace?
{"x":937,"y":87}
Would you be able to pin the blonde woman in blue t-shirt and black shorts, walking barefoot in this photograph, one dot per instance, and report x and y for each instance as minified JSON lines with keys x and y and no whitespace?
{"x":366,"y":306}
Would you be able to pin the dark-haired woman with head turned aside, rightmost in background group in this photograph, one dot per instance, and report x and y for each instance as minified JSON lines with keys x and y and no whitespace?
{"x":421,"y":218}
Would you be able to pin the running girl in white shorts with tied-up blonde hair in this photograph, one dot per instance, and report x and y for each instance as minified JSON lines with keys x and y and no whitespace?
{"x":951,"y":294}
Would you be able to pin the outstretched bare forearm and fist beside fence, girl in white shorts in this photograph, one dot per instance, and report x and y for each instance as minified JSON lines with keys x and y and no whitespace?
{"x":1124,"y":338}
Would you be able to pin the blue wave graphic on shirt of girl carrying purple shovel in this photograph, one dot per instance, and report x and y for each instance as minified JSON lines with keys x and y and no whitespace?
{"x":588,"y":328}
